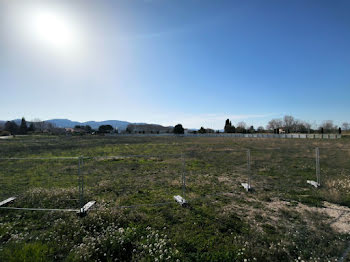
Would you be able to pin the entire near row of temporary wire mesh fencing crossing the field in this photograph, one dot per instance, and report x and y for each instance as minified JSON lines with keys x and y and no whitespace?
{"x":140,"y":180}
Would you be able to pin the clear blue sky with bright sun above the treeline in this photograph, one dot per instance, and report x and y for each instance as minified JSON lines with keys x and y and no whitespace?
{"x":194,"y":62}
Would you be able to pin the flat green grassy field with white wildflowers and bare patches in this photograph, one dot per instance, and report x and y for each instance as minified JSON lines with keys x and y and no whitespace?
{"x":133,"y":179}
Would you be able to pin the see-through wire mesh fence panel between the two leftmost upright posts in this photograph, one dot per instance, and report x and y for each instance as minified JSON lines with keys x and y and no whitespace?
{"x":130,"y":180}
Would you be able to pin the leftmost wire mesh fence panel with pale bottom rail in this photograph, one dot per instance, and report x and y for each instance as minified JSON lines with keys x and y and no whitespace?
{"x":41,"y":183}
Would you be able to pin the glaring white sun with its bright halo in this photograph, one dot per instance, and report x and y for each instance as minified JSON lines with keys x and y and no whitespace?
{"x":48,"y":33}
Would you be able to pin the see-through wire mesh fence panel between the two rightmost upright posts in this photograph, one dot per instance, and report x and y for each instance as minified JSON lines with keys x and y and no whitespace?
{"x":282,"y":172}
